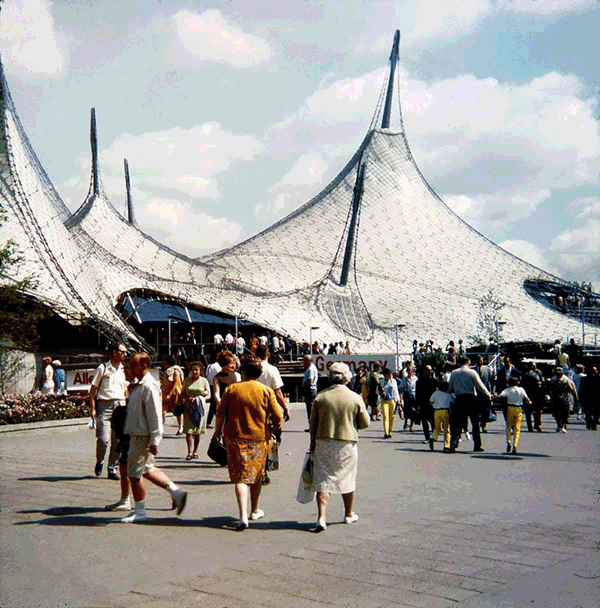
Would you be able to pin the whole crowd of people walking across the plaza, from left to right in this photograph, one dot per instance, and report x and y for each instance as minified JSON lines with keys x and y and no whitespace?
{"x":240,"y":399}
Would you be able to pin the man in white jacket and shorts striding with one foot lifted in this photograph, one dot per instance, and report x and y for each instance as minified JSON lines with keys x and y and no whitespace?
{"x":145,"y":428}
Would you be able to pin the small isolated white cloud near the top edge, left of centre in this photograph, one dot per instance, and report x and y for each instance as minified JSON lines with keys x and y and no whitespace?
{"x":210,"y":38}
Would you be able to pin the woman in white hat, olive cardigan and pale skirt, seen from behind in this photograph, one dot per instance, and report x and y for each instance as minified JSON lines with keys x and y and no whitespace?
{"x":337,"y":415}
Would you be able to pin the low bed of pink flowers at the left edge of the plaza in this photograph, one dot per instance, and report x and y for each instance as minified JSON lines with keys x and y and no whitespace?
{"x":15,"y":409}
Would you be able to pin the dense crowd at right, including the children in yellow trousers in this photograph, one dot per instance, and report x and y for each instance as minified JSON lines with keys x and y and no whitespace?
{"x":464,"y":391}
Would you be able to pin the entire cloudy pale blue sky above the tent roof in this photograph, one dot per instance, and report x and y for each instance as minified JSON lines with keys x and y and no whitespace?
{"x":232,"y":114}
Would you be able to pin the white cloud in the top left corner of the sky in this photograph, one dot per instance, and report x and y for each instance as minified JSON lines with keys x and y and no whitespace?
{"x":29,"y":39}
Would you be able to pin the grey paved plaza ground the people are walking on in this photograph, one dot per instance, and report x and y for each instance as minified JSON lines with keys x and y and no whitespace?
{"x":436,"y":530}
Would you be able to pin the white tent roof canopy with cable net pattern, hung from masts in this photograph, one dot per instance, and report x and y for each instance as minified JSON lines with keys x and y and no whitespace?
{"x":375,"y":248}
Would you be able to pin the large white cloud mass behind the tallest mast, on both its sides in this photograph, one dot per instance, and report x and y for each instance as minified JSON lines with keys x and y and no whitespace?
{"x":490,"y":149}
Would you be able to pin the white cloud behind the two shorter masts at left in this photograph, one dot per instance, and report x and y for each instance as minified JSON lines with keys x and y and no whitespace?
{"x":173,"y":173}
